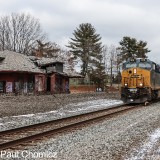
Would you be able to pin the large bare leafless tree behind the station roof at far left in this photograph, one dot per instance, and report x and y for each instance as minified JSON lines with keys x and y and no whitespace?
{"x":19,"y":33}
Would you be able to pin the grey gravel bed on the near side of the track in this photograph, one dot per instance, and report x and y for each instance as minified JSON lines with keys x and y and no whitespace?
{"x":121,"y":137}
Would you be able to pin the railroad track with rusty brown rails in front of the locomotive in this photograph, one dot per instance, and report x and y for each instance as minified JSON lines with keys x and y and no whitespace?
{"x":20,"y":136}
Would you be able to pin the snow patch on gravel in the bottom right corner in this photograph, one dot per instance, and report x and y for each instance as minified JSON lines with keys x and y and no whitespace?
{"x":148,"y":149}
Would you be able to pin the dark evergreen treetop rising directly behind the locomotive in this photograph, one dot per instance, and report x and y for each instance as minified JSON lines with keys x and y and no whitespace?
{"x":131,"y":48}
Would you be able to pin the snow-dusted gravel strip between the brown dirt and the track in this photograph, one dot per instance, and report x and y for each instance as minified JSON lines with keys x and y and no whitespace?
{"x":68,"y":110}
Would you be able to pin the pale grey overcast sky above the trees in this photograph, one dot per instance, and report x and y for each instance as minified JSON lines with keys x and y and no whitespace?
{"x":112,"y":19}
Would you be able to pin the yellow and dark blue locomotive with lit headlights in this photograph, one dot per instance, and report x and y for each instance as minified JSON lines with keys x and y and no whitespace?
{"x":140,"y":81}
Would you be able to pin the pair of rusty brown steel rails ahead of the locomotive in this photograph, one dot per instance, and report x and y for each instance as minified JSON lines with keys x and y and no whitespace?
{"x":41,"y":135}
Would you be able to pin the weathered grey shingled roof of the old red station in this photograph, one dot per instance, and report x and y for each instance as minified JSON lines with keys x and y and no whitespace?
{"x":15,"y":62}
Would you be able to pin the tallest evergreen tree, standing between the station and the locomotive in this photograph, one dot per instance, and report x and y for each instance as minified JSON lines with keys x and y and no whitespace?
{"x":86,"y":46}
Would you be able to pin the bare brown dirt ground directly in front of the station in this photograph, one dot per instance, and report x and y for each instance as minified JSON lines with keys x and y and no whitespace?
{"x":18,"y":105}
